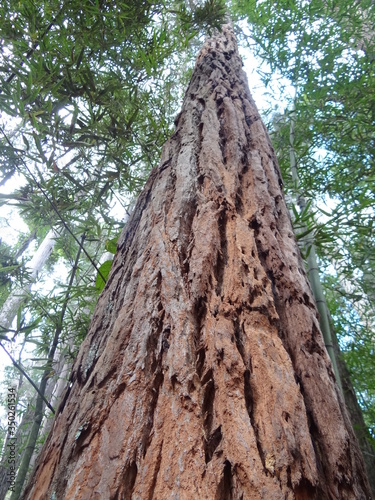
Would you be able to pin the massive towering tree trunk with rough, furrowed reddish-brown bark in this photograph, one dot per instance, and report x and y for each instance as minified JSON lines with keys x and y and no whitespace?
{"x":204,"y":374}
